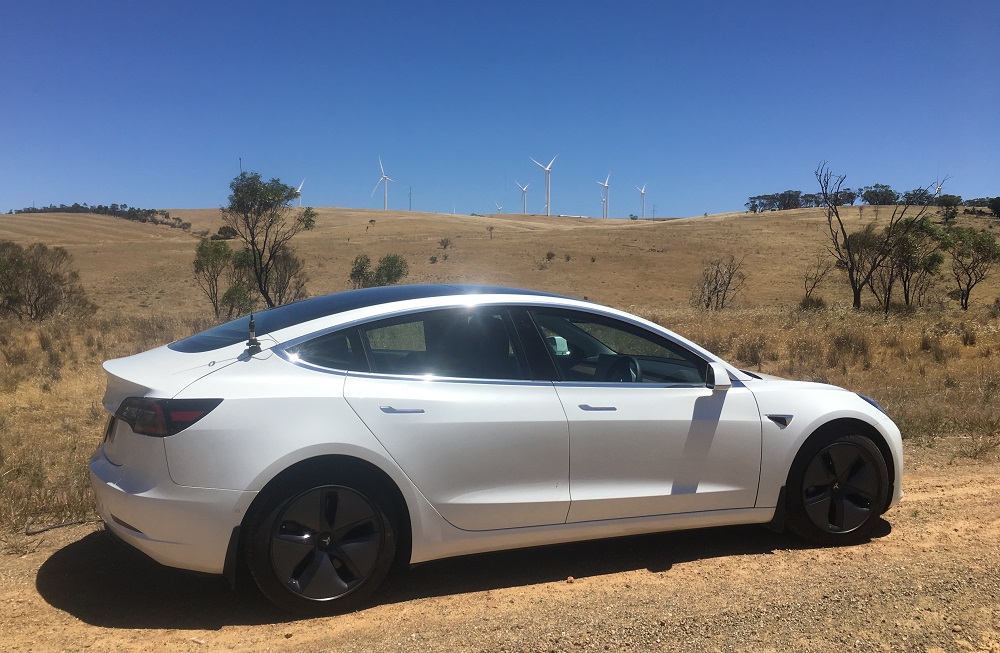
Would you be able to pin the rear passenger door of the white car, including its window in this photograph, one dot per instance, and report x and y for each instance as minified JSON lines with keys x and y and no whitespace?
{"x":450,"y":399}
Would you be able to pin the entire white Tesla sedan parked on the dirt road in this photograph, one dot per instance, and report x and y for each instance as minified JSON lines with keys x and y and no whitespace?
{"x":410,"y":423}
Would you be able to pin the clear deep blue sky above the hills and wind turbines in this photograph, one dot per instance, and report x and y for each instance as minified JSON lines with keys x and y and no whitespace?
{"x":706,"y":103}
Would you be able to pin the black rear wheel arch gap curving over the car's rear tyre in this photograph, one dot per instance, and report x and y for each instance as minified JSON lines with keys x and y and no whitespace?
{"x":336,"y":467}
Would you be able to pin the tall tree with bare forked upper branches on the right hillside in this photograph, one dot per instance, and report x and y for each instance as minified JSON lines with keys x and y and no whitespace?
{"x":860,"y":253}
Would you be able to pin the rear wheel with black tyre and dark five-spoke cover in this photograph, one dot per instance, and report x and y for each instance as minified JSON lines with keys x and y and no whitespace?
{"x":321,"y":547}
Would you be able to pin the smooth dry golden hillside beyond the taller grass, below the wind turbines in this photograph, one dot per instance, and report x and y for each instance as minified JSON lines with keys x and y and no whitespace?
{"x":644,"y":264}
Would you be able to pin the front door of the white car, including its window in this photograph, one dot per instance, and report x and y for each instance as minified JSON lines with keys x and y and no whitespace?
{"x":653,"y":440}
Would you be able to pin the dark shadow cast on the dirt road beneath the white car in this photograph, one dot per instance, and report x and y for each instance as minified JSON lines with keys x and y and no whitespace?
{"x":104,"y":583}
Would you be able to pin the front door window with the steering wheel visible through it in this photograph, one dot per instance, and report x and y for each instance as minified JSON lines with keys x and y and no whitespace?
{"x":596,"y":348}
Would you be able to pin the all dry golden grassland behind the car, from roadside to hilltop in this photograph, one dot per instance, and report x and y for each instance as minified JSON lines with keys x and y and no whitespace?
{"x":934,"y":370}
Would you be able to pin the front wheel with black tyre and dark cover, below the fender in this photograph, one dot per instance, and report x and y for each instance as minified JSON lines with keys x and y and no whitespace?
{"x":837,"y":489}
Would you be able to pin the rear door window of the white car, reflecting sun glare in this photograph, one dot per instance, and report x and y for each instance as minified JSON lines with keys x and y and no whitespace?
{"x":460,"y":343}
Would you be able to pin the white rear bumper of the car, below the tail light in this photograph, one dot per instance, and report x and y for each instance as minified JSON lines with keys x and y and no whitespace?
{"x":178,"y":526}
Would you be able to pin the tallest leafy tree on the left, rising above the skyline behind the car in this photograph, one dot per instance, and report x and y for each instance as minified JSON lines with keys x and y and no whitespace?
{"x":261,"y":213}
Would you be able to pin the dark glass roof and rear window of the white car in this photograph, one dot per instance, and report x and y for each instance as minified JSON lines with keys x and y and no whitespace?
{"x":280,"y":317}
